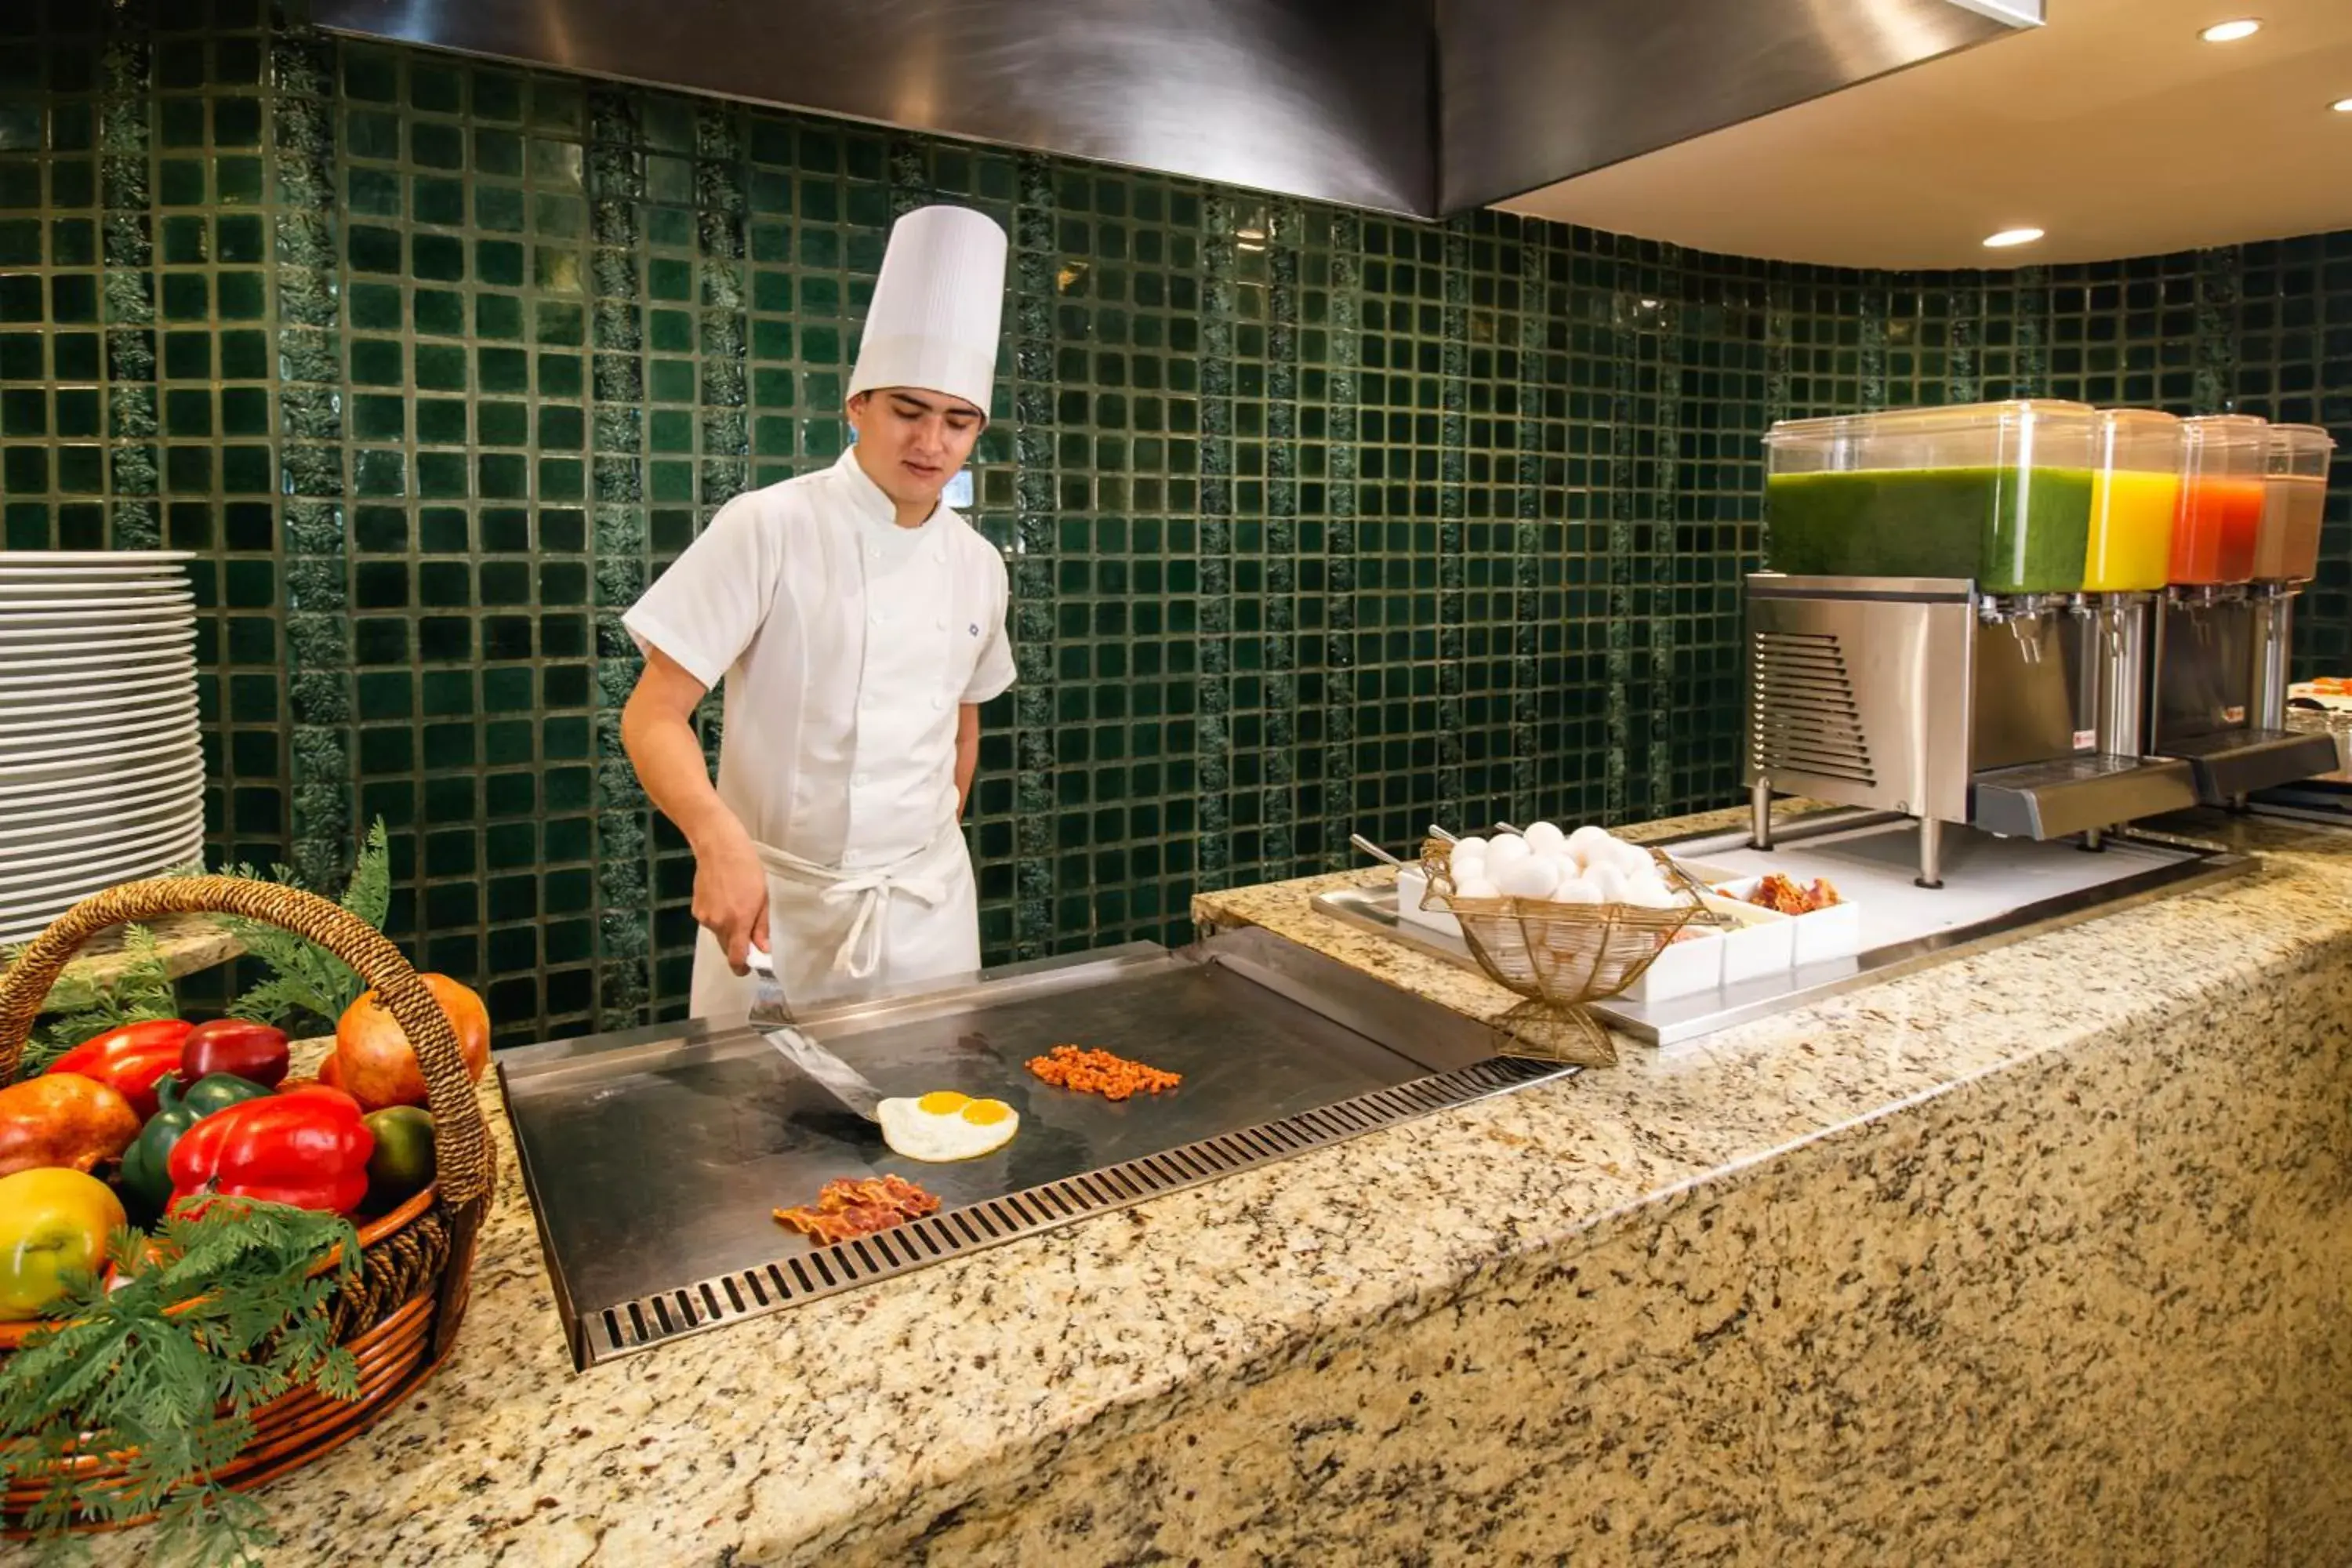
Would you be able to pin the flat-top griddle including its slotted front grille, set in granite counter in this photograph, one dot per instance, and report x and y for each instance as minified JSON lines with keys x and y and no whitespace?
{"x":657,"y":1158}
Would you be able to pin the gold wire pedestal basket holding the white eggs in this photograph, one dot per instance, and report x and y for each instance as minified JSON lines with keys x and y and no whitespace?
{"x":1561,"y":956}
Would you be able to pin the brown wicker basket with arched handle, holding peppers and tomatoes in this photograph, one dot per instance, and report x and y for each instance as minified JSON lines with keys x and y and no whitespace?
{"x":401,"y":1311}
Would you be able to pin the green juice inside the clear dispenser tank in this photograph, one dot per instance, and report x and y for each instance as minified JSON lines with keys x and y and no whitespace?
{"x":2010,"y":530}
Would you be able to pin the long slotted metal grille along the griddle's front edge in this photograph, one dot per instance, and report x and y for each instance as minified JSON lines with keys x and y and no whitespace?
{"x":773,"y":1287}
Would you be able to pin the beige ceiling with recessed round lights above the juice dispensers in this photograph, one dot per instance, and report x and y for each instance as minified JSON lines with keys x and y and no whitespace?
{"x":2113,"y":128}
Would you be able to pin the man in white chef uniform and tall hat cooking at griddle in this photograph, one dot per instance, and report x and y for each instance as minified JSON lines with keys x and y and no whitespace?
{"x":857,"y":626}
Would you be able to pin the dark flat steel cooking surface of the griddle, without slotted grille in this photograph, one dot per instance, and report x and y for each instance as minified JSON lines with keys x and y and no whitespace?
{"x":660,"y":1162}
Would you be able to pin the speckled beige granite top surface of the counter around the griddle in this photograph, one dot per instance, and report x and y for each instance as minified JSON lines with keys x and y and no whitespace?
{"x":848,"y":1428}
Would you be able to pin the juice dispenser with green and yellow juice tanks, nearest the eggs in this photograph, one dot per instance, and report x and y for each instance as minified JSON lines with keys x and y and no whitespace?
{"x":1930,"y":638}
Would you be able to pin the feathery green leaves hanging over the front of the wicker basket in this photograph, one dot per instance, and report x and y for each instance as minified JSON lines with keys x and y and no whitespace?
{"x":215,"y":1320}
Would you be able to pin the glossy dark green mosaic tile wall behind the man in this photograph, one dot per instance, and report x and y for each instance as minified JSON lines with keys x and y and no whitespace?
{"x":1318,"y":521}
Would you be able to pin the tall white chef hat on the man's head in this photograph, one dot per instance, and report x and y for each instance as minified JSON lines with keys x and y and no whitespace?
{"x":937,"y":307}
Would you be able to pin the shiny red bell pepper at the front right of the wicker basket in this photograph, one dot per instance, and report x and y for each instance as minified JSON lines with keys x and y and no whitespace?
{"x":307,"y":1148}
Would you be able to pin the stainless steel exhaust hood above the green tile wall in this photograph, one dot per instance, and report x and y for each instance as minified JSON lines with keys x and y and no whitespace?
{"x":1415,"y":107}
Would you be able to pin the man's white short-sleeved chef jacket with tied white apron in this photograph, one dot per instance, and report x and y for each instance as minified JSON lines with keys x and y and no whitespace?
{"x":843,"y":645}
